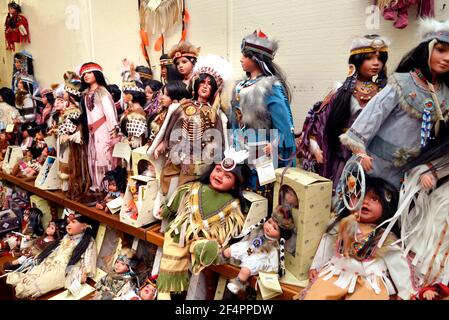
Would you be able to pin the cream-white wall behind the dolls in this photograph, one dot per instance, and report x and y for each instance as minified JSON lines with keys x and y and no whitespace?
{"x":314,"y":36}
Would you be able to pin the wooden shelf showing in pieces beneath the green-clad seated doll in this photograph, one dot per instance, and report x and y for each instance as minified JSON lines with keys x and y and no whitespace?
{"x":228,"y":271}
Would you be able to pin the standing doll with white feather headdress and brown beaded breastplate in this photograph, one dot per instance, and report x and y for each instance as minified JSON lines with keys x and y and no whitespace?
{"x":194,"y":132}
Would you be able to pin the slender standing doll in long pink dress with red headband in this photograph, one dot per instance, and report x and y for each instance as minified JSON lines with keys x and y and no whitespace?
{"x":100,"y":125}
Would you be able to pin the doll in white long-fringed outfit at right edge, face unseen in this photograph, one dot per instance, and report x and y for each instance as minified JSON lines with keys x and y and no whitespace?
{"x":423,"y":216}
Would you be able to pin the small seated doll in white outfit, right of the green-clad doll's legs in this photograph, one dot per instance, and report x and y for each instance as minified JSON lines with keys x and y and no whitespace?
{"x":263,"y":249}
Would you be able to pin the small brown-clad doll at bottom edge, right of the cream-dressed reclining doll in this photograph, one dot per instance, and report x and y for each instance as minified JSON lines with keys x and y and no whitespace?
{"x":118,"y":282}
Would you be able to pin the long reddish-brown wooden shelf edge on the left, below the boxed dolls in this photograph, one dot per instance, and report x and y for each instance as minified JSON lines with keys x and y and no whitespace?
{"x":58,"y":197}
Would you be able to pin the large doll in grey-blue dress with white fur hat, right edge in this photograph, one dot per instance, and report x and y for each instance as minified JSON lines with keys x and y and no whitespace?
{"x":409,"y":113}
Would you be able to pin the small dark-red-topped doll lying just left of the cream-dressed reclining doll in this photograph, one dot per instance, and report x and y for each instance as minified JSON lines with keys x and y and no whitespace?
{"x":39,"y":244}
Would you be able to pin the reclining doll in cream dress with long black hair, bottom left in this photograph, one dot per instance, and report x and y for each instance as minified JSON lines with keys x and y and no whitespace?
{"x":66,"y":263}
